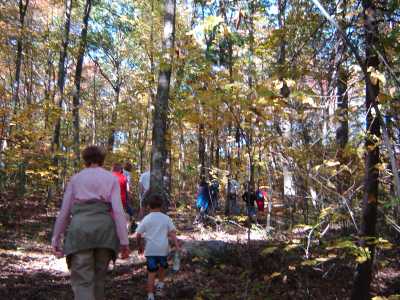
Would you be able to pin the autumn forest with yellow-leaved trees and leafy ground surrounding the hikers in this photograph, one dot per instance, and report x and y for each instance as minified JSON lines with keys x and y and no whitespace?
{"x":299,"y":99}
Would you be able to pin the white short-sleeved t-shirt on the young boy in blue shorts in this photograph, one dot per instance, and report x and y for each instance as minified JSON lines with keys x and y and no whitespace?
{"x":155,"y":228}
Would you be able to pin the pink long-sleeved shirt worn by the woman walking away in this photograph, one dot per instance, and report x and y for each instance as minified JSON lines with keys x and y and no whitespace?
{"x":91,"y":183}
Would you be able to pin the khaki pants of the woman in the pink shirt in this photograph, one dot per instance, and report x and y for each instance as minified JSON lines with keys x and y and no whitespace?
{"x":88,"y":273}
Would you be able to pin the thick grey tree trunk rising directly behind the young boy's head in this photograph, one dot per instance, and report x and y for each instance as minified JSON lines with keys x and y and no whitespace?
{"x":160,"y":116}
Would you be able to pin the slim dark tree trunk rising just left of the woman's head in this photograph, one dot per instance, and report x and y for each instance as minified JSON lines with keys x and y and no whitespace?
{"x":77,"y":82}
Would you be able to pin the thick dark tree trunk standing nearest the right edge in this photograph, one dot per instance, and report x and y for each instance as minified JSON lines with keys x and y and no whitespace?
{"x":363,"y":276}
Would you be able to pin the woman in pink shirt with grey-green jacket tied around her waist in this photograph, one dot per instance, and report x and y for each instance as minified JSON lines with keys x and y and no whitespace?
{"x":97,"y":229}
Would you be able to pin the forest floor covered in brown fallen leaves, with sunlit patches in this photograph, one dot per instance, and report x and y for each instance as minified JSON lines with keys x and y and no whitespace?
{"x":218,"y":262}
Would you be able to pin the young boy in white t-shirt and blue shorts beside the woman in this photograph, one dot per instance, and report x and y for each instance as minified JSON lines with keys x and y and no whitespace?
{"x":155,"y":228}
